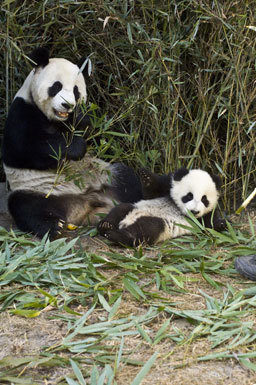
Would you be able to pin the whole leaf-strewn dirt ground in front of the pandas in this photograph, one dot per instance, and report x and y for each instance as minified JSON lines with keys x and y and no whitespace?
{"x":178,"y":314}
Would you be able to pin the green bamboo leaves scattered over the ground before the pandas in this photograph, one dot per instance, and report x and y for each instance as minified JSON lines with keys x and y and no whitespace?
{"x":35,"y":275}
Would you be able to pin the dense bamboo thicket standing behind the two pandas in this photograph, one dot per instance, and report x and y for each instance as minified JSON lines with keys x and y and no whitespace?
{"x":175,"y":79}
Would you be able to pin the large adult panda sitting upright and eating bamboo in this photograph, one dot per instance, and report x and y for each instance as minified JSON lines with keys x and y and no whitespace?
{"x":44,"y":154}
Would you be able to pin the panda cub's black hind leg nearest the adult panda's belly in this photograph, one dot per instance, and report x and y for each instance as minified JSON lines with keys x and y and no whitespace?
{"x":114,"y":217}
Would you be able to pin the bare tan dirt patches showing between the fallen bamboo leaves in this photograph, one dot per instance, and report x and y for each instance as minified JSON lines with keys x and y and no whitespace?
{"x":21,"y":337}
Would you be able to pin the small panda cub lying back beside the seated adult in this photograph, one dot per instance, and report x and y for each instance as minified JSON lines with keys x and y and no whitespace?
{"x":158,"y":218}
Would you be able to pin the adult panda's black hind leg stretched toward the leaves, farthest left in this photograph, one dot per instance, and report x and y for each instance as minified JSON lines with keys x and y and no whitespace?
{"x":34,"y":213}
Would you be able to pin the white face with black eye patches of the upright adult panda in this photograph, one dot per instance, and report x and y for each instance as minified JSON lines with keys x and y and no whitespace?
{"x":57,"y":88}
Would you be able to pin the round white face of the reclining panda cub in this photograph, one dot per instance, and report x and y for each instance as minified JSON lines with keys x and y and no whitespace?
{"x":195,"y":192}
